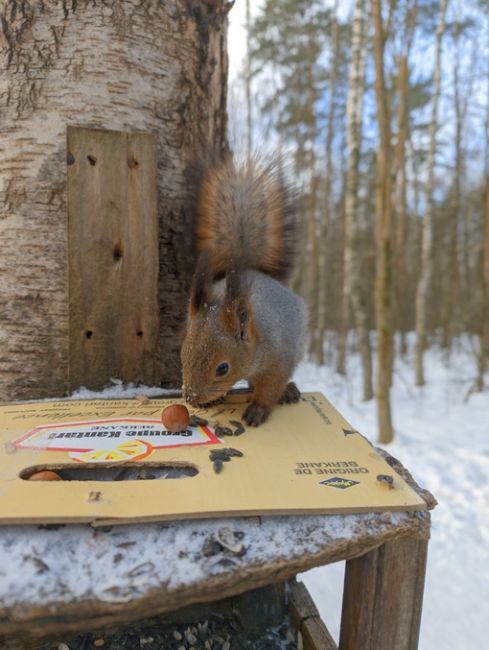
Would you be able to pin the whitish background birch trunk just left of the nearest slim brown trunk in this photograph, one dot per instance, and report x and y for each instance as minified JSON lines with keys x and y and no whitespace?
{"x":352,"y":282}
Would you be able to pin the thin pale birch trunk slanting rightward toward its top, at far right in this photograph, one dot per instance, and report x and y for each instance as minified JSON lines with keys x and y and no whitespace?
{"x":426,"y":271}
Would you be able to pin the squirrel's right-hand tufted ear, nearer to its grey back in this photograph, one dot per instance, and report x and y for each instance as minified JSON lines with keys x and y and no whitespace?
{"x":237,"y":313}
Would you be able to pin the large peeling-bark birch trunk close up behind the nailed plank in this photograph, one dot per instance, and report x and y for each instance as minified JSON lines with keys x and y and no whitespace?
{"x":129,"y":66}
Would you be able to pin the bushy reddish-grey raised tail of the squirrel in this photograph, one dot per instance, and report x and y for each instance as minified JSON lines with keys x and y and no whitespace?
{"x":246,"y":216}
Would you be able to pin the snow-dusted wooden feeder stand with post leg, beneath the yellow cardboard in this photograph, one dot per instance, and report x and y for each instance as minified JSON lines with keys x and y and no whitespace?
{"x":385,"y":556}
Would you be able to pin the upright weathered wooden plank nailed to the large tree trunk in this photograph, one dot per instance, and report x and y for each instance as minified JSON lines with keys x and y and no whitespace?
{"x":113,"y":257}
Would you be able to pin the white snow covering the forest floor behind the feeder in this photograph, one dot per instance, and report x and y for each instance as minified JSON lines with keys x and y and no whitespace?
{"x":443,"y":439}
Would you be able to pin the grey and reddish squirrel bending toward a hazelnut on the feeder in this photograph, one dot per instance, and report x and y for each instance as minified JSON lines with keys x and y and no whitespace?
{"x":243,"y":322}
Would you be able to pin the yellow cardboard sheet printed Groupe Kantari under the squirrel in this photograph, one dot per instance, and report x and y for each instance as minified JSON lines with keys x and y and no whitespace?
{"x":305,"y":459}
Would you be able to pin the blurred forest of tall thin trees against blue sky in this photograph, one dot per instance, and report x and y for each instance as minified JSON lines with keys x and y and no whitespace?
{"x":383,"y":105}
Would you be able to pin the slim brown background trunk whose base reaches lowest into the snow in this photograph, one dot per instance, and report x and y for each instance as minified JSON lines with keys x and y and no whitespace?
{"x":383,"y":208}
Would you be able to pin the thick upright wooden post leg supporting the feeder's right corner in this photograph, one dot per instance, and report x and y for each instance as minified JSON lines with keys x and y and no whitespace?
{"x":383,"y":596}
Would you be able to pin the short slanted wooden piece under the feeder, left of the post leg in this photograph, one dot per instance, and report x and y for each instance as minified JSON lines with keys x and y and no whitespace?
{"x":307,"y":621}
